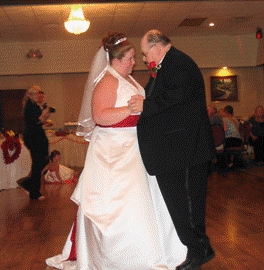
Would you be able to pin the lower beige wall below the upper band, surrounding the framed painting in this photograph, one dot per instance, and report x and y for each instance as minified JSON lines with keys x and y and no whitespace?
{"x":65,"y":91}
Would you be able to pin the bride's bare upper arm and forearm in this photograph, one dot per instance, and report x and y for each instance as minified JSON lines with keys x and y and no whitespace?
{"x":103,"y":102}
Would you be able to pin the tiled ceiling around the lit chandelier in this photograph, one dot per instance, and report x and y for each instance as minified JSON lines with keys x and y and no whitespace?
{"x":40,"y":23}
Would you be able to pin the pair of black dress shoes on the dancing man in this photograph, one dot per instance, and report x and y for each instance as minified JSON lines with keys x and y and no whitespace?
{"x":195,"y":263}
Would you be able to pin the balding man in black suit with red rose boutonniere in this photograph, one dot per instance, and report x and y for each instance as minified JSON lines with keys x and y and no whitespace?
{"x":175,"y":140}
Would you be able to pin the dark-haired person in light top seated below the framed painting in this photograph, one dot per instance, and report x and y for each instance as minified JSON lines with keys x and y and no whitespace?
{"x":232,"y":136}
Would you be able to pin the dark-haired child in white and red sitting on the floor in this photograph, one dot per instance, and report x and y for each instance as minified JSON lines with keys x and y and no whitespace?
{"x":55,"y":173}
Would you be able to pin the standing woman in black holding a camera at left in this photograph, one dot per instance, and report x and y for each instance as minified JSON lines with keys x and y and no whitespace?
{"x":35,"y":140}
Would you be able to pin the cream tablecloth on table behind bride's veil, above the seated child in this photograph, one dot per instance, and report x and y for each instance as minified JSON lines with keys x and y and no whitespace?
{"x":72,"y":148}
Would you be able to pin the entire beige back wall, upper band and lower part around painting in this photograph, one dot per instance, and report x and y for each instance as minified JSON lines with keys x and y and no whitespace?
{"x":62,"y":72}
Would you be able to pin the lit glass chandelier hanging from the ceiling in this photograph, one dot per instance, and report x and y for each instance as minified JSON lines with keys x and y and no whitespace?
{"x":76,"y":23}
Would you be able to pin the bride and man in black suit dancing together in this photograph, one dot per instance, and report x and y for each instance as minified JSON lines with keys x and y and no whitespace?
{"x":129,"y":208}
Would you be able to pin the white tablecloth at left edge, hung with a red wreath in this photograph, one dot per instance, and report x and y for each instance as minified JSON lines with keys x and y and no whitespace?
{"x":10,"y":173}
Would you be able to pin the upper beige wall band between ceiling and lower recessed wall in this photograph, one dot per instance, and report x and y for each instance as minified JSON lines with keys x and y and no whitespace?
{"x":76,"y":56}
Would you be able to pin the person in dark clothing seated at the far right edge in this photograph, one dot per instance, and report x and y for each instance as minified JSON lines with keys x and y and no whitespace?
{"x":257,"y":134}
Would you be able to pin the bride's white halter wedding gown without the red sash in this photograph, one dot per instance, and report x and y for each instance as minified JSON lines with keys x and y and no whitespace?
{"x":122,"y":220}
